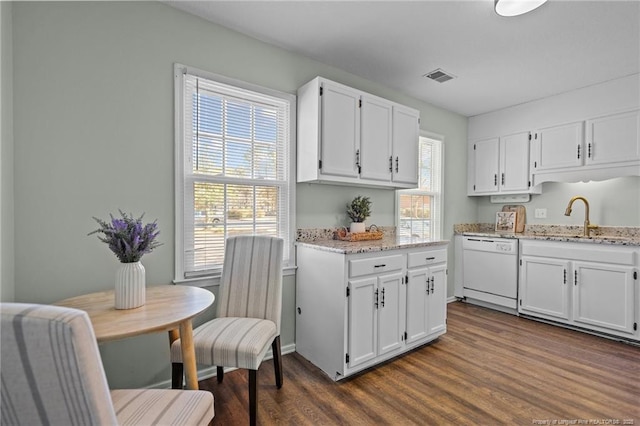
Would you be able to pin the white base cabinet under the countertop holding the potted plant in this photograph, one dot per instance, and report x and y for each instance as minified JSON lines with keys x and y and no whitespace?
{"x":357,"y":310}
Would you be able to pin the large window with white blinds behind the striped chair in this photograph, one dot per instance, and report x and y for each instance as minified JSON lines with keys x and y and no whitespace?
{"x":235,"y":149}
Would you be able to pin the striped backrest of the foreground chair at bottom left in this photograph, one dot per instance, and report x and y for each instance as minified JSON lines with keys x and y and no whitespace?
{"x":51,"y":368}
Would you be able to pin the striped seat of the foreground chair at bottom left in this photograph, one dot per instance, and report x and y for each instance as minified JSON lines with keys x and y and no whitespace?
{"x":162,"y":407}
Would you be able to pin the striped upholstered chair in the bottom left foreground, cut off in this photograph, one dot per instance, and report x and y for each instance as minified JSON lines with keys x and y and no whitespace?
{"x":51,"y":373}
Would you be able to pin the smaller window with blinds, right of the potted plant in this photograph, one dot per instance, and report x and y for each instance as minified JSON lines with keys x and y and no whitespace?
{"x":419,"y":210}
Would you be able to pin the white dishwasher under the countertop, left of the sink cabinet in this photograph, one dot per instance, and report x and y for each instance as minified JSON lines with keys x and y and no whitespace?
{"x":490,"y":271}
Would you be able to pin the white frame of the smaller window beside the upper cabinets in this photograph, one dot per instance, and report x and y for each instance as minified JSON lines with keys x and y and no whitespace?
{"x":437,"y":197}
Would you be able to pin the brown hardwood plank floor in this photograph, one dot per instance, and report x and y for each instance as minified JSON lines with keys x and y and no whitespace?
{"x":490,"y":368}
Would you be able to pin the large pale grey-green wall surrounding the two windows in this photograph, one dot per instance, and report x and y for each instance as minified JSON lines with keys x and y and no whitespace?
{"x":93,"y":131}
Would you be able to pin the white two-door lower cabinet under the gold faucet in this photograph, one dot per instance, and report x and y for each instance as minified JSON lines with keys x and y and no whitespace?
{"x":581,"y":285}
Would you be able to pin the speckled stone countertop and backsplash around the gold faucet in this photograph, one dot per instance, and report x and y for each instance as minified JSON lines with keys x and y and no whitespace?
{"x":612,"y":235}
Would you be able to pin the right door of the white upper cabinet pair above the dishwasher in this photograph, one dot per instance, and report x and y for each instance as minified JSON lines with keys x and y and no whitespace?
{"x":514,"y":162}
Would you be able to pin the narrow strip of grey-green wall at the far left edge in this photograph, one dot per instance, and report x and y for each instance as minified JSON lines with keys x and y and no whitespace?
{"x":7,"y":285}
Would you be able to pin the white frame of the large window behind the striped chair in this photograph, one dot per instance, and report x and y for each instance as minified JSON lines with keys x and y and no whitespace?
{"x":213,"y":278}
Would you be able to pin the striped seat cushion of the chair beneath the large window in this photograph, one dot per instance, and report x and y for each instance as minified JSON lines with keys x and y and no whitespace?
{"x":230,"y":342}
